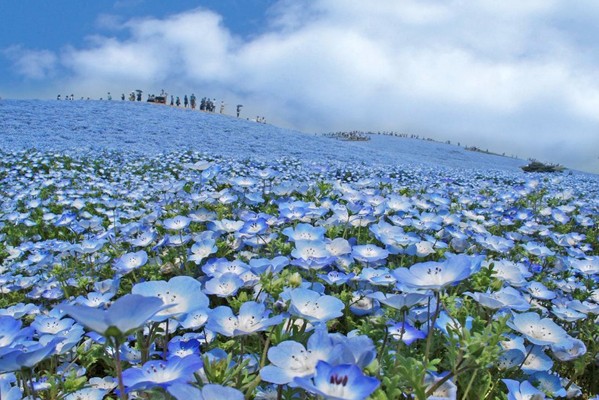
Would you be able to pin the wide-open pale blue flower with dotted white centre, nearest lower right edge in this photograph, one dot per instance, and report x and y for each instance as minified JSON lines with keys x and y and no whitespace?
{"x":540,"y":331}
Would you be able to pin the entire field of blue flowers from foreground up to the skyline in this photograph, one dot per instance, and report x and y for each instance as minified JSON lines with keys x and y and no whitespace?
{"x":232,"y":268}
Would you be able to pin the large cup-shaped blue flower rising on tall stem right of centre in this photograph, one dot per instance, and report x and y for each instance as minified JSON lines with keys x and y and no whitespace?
{"x":435,"y":275}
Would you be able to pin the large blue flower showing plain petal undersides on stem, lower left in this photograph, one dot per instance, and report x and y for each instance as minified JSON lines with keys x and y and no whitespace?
{"x":124,"y":316}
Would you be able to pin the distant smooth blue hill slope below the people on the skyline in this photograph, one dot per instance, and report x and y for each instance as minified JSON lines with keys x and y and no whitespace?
{"x":153,"y":129}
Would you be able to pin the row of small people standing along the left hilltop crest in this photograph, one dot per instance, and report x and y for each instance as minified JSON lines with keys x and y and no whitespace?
{"x":206,"y":104}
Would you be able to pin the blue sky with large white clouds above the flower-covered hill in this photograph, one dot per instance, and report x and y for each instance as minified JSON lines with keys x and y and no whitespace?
{"x":511,"y":76}
